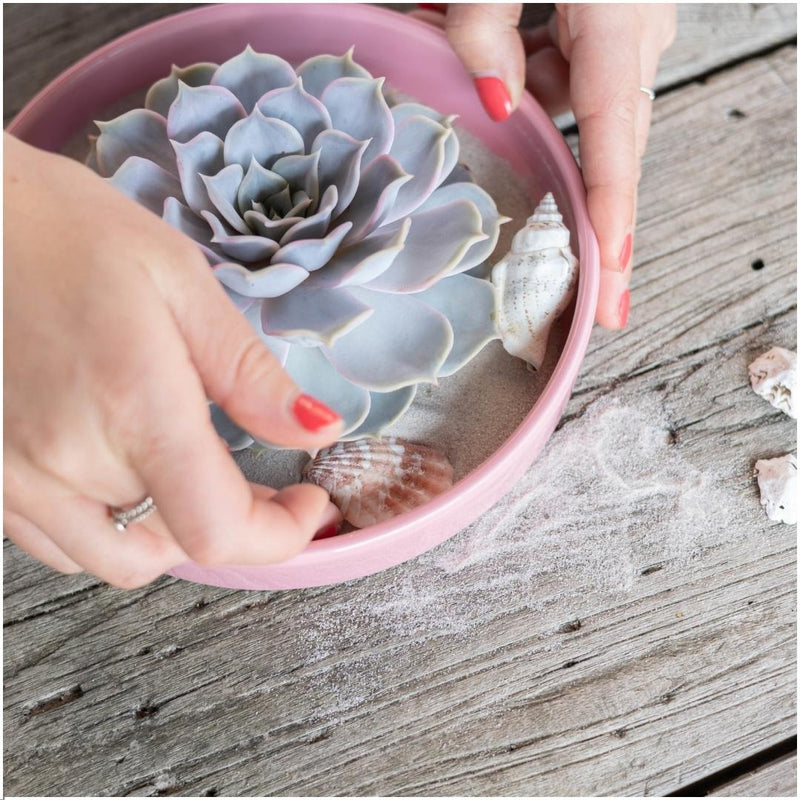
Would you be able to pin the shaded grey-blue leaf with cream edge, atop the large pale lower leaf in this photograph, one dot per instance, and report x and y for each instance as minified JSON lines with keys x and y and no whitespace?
{"x":311,"y":316}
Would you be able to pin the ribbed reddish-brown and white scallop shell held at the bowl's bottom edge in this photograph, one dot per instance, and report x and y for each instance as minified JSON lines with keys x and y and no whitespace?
{"x":372,"y":480}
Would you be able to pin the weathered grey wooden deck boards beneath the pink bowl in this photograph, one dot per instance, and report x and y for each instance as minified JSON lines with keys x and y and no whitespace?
{"x":645,"y":648}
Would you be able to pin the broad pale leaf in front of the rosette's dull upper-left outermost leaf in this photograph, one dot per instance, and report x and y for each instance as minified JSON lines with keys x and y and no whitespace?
{"x":202,"y":108}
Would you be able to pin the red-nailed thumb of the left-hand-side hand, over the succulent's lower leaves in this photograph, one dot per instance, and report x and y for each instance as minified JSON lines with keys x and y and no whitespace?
{"x":238,"y":371}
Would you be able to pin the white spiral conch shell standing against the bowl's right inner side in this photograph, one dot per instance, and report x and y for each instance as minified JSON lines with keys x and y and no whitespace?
{"x":535,"y":282}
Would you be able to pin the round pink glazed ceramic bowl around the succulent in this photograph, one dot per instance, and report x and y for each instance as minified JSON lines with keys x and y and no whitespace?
{"x":416,"y":59}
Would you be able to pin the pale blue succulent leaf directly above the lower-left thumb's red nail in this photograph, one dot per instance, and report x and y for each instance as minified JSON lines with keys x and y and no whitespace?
{"x":313,"y":373}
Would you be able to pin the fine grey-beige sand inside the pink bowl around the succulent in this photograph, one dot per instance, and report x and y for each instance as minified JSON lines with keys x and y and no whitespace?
{"x":466,"y":416}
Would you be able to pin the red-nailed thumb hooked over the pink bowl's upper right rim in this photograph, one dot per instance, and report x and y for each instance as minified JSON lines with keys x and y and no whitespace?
{"x":486,"y":39}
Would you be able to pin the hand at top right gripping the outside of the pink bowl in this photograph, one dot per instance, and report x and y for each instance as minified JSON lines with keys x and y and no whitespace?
{"x":593,"y":59}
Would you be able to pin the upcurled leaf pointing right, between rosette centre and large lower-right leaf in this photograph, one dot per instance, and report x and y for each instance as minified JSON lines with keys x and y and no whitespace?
{"x":364,"y":260}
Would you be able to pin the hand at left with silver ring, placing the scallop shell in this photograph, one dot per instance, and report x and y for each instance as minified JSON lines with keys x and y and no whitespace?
{"x":116,"y":335}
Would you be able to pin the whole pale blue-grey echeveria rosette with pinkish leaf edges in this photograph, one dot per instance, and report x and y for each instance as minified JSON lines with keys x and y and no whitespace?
{"x":341,"y":226}
